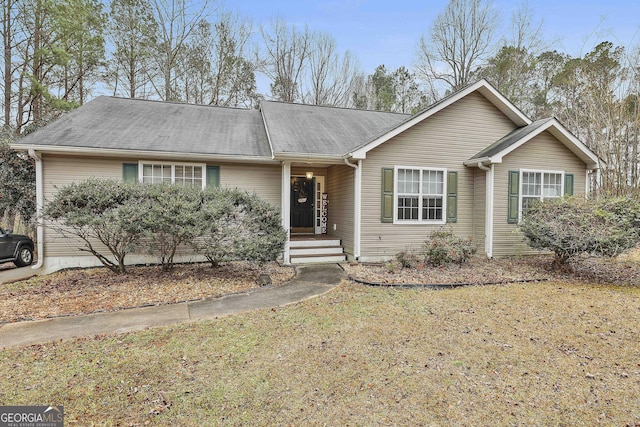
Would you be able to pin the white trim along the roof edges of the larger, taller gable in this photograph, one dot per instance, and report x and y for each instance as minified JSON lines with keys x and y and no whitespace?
{"x":495,"y":97}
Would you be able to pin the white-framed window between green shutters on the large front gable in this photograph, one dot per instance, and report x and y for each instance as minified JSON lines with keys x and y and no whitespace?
{"x":420,"y":195}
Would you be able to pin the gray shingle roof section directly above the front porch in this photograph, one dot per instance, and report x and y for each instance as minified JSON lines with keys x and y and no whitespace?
{"x":313,"y":129}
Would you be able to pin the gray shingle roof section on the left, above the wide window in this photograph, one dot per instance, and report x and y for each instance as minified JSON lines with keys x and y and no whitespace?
{"x":130,"y":124}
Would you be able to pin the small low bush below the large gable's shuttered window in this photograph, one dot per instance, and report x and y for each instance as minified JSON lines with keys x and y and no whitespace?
{"x":444,"y":247}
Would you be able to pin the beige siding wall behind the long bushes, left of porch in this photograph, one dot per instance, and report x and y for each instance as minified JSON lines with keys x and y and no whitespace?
{"x":58,"y":171}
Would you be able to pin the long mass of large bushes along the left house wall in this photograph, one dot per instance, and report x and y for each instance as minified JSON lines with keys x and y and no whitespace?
{"x":222,"y":224}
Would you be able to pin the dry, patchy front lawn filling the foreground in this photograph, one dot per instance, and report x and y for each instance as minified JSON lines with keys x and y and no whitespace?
{"x":559,"y":352}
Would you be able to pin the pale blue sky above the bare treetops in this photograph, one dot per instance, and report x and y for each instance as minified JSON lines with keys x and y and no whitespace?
{"x":387,"y":32}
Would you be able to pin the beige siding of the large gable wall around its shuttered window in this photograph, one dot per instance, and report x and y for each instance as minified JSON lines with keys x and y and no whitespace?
{"x":444,"y":140}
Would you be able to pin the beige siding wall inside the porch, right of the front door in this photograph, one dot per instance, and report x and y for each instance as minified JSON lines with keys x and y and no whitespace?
{"x":340,"y":189}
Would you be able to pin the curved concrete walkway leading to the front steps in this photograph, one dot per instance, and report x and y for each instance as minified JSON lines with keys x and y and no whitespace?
{"x":310,"y":281}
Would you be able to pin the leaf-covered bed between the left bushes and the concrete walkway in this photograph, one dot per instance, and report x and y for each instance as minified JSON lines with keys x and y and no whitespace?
{"x":86,"y":291}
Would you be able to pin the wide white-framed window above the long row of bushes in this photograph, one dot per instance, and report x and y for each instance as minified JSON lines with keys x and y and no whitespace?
{"x":188,"y":174}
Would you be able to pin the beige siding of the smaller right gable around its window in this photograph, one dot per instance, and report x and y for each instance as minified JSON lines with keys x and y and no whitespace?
{"x":544,"y":152}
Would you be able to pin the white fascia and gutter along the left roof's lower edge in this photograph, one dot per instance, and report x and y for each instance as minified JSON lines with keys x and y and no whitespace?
{"x":102,"y":152}
